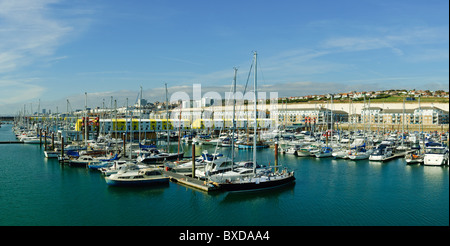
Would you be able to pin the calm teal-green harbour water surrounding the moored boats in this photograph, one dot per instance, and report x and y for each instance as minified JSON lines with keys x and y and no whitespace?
{"x":327,"y":192}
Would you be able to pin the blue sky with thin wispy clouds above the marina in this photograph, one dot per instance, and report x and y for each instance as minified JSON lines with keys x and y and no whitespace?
{"x":51,"y":50}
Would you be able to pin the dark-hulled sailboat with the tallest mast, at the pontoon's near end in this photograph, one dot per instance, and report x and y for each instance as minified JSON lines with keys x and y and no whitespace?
{"x":256,"y":180}
